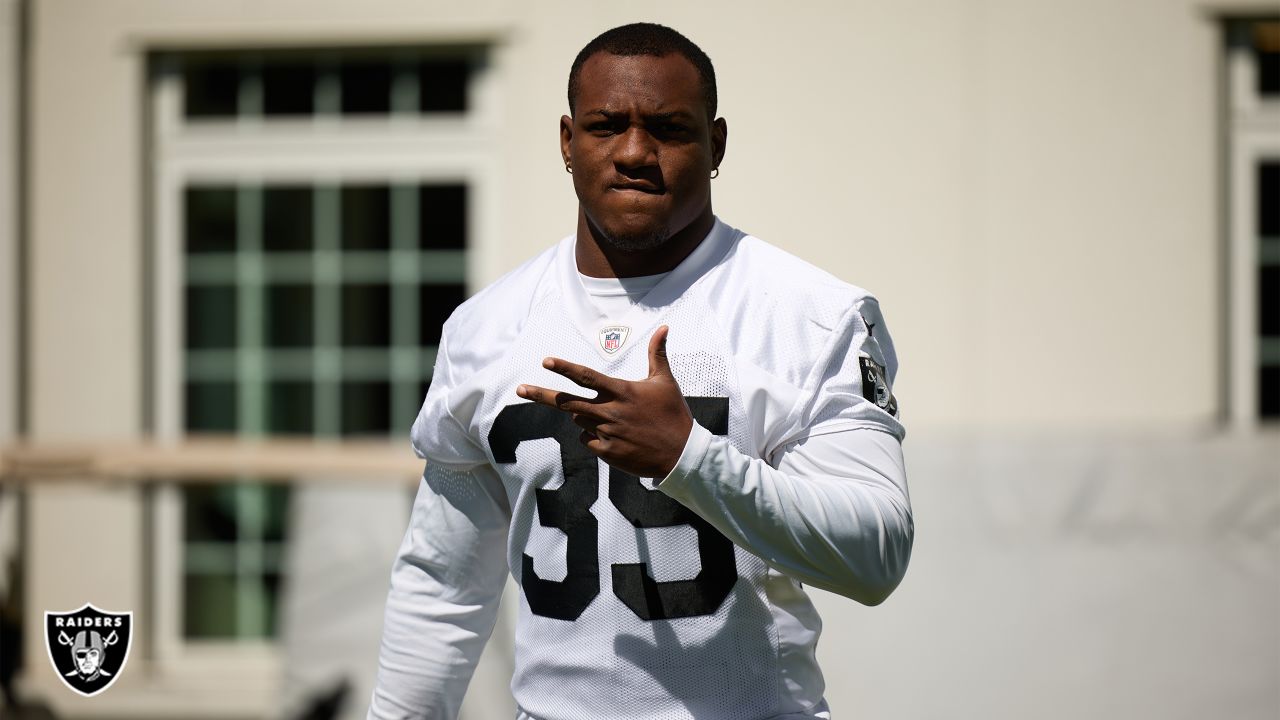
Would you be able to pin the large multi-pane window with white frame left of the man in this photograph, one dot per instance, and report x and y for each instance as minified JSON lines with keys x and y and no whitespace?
{"x":313,"y":218}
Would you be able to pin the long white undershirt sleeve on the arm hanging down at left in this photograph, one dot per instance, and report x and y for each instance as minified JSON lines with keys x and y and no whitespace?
{"x":446,"y":586}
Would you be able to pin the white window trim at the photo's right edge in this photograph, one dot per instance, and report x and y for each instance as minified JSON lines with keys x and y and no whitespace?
{"x":1254,"y":134}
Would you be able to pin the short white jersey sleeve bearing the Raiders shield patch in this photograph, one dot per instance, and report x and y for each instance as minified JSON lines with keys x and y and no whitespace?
{"x":852,"y":384}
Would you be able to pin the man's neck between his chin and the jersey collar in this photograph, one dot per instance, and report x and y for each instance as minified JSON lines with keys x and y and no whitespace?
{"x":597,"y":258}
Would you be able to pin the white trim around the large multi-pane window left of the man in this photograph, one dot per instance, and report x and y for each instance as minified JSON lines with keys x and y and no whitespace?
{"x":399,"y":149}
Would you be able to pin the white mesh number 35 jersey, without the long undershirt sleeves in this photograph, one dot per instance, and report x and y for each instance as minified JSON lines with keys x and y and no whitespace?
{"x":632,"y":605}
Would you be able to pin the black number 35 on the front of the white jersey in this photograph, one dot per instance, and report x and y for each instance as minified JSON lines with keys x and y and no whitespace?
{"x":569,"y":509}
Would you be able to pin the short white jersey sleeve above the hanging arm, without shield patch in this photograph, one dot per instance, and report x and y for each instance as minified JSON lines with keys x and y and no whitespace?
{"x":438,"y":436}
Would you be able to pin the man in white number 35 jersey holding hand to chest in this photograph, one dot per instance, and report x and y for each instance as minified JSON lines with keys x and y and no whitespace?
{"x":660,"y":528}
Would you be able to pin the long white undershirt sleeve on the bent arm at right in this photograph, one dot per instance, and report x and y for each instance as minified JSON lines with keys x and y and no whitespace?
{"x":834,"y":513}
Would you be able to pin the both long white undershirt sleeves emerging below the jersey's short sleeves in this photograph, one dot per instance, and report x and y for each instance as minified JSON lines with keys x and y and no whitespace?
{"x":835,"y":514}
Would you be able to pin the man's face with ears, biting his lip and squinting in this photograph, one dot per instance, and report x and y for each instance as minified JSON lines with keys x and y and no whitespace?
{"x":642,"y":148}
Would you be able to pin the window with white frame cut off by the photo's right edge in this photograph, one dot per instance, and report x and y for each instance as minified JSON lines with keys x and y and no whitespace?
{"x":1254,"y":189}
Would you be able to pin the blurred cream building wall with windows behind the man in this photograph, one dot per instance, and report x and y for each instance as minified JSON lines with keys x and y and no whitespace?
{"x":230,"y":234}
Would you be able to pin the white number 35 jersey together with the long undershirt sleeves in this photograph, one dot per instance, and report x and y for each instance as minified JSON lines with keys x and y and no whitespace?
{"x":642,"y":599}
